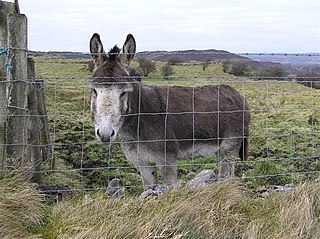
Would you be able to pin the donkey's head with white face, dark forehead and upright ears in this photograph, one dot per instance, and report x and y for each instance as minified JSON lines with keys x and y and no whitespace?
{"x":111,"y":85}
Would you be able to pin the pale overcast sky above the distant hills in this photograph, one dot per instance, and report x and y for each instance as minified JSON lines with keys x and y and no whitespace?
{"x":286,"y":26}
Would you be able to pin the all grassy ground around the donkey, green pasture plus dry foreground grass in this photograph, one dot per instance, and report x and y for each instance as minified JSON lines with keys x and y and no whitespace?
{"x":284,"y":148}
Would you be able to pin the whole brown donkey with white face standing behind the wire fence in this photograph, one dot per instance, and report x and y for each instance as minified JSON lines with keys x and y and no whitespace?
{"x":158,"y":125}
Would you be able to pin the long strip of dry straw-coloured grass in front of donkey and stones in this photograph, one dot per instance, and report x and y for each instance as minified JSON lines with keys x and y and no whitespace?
{"x":221,"y":210}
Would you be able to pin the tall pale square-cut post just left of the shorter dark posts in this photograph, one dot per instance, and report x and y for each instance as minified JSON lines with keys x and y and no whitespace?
{"x":17,"y":130}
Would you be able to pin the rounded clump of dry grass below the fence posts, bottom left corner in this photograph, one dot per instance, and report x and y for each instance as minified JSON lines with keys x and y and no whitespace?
{"x":21,"y":209}
